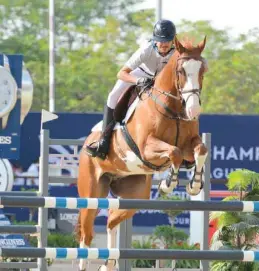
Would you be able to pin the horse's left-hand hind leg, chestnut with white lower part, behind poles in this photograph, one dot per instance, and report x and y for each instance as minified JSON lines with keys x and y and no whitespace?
{"x":90,"y":185}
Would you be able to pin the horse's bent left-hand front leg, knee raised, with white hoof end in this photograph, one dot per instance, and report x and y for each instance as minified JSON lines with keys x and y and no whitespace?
{"x":157,"y":151}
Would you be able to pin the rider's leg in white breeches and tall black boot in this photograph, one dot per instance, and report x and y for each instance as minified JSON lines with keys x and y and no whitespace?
{"x":101,"y":149}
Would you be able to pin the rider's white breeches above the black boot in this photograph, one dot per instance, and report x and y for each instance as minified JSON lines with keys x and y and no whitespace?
{"x":120,"y":87}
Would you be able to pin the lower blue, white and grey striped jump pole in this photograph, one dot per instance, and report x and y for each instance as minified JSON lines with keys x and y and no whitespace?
{"x":94,"y":253}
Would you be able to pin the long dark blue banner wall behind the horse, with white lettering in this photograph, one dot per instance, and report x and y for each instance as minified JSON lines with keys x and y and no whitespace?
{"x":235,"y":144}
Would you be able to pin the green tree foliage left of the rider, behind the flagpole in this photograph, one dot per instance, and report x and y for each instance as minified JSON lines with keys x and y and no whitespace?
{"x":93,"y":39}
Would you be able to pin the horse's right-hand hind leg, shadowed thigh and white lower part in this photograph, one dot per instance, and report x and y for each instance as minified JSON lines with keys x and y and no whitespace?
{"x":131,"y":187}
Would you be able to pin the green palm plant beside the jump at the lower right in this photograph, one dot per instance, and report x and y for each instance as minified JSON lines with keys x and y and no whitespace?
{"x":237,"y":231}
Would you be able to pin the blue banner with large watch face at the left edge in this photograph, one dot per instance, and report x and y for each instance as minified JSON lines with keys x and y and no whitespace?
{"x":10,"y":105}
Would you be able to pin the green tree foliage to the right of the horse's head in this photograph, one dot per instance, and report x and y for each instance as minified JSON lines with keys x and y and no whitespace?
{"x":231,"y":85}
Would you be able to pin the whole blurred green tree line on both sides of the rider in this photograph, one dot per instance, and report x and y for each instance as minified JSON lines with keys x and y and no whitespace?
{"x":95,"y":38}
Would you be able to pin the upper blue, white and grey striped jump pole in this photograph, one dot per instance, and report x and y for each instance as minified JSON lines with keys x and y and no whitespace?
{"x":114,"y":204}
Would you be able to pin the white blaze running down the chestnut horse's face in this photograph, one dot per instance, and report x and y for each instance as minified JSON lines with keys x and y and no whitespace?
{"x":192,"y":70}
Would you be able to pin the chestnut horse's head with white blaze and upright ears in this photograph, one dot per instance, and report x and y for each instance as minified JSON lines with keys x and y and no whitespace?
{"x":190,"y":68}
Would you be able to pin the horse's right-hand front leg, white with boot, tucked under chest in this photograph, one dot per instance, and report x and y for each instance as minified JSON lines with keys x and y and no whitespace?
{"x":200,"y":153}
